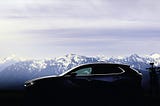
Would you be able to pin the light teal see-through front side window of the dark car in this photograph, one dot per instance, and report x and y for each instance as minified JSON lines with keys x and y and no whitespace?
{"x":84,"y":71}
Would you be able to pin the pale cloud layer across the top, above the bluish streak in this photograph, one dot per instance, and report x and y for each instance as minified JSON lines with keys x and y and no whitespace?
{"x":83,"y":13}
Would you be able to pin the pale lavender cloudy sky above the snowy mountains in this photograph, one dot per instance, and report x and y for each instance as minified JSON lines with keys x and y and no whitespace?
{"x":51,"y":28}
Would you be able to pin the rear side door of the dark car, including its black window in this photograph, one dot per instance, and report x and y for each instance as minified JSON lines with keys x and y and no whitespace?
{"x":104,"y":76}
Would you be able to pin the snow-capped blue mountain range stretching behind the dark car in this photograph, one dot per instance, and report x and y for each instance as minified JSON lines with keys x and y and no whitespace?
{"x":15,"y":71}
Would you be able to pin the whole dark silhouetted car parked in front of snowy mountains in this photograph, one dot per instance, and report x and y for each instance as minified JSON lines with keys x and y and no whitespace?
{"x":88,"y":83}
